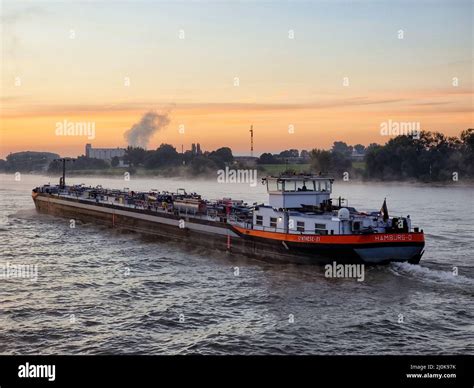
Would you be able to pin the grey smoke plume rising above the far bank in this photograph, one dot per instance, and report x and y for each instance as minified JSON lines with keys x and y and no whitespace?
{"x":140,"y":133}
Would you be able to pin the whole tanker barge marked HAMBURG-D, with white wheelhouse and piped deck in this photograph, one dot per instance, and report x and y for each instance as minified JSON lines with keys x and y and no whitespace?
{"x":301,"y":223}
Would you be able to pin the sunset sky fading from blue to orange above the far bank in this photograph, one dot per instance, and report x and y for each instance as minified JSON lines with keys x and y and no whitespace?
{"x":303,"y":73}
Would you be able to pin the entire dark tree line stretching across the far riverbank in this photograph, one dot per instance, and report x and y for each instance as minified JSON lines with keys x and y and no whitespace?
{"x":431,"y":156}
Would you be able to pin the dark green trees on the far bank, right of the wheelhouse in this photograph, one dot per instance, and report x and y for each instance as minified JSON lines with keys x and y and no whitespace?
{"x":430,"y":156}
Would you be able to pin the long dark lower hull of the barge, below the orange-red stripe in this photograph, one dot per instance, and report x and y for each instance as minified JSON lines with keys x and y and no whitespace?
{"x":224,"y":237}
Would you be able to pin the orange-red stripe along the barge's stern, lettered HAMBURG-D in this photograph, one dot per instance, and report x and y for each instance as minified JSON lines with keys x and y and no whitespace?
{"x":375,"y":238}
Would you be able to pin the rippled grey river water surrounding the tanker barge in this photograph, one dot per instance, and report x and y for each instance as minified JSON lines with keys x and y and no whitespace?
{"x":99,"y":291}
